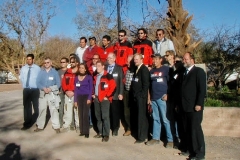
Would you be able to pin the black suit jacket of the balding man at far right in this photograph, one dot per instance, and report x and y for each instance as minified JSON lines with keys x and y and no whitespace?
{"x":193,"y":89}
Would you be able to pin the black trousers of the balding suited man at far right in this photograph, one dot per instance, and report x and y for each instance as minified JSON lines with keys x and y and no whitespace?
{"x":195,"y":137}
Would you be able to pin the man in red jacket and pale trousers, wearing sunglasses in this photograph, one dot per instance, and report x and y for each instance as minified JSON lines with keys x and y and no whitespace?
{"x":68,"y":89}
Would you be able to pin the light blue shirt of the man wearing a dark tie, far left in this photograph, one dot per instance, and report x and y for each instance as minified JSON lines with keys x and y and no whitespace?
{"x":35,"y":69}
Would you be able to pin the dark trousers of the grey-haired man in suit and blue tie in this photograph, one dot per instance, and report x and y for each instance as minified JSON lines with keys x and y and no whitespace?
{"x":115,"y":114}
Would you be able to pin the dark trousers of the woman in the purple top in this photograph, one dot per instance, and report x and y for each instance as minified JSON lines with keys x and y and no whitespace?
{"x":83,"y":113}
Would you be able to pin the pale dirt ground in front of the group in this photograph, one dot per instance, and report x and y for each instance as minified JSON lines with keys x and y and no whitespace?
{"x":48,"y":145}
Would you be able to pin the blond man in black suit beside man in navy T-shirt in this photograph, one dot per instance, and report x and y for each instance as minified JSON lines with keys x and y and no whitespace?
{"x":140,"y":85}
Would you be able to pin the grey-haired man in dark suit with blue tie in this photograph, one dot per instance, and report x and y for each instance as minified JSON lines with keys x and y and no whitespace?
{"x":116,"y":109}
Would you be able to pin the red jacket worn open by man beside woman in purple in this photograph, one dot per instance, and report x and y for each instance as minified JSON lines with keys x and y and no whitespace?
{"x":106,"y":87}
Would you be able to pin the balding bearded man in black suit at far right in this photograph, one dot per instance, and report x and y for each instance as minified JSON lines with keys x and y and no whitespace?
{"x":193,"y":93}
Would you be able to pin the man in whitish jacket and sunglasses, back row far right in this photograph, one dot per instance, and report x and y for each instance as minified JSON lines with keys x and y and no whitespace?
{"x":162,"y":44}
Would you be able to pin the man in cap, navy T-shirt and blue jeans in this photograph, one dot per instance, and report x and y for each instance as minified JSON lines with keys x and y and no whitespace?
{"x":158,"y":96}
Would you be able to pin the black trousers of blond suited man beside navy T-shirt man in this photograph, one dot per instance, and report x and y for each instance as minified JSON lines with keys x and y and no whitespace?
{"x":141,"y":104}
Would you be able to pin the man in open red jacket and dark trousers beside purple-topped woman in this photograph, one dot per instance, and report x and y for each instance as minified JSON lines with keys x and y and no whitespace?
{"x":104,"y":88}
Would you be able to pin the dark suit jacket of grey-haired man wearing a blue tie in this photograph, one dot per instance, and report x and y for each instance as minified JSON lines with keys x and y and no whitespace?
{"x":117,"y":74}
